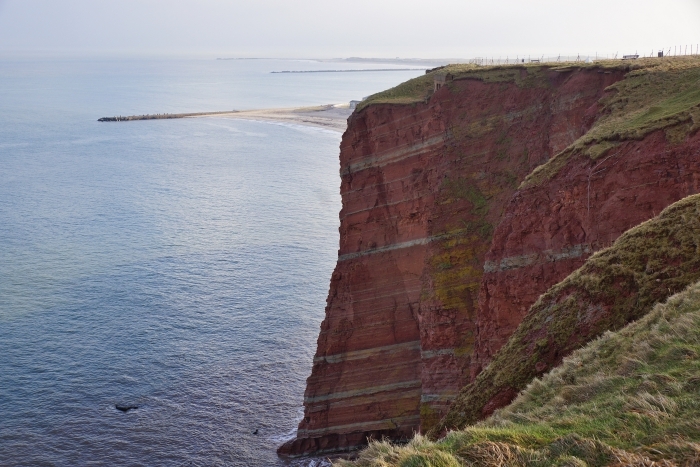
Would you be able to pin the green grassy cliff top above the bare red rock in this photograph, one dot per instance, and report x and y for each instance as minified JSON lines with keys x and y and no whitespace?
{"x":656,"y":94}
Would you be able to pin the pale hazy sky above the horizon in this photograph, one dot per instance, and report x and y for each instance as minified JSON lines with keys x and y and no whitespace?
{"x":330,"y":28}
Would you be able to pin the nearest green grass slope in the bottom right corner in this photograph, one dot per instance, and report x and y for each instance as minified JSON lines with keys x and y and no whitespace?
{"x":628,"y":398}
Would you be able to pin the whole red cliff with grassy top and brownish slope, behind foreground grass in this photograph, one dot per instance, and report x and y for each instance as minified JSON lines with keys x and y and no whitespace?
{"x":440,"y":175}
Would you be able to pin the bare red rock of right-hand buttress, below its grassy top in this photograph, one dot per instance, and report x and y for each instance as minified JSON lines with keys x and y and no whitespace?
{"x":550,"y":229}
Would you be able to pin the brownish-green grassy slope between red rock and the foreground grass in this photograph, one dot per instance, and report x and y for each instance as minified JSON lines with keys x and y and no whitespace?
{"x":619,"y":284}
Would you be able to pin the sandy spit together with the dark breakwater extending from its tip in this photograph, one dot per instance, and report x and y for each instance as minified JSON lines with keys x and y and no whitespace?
{"x":330,"y":116}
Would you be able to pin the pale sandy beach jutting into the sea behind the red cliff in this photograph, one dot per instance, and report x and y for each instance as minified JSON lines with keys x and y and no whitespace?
{"x":331,"y":116}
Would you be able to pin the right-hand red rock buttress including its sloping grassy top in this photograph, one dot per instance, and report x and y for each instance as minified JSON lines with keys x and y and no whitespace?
{"x":642,"y":154}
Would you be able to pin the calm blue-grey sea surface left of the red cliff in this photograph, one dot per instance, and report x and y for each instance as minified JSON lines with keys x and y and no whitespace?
{"x":181,"y":266}
